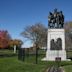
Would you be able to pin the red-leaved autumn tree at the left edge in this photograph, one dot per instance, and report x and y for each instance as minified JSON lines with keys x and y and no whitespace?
{"x":4,"y":38}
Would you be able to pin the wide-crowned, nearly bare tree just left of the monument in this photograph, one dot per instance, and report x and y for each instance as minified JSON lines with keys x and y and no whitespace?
{"x":36,"y":33}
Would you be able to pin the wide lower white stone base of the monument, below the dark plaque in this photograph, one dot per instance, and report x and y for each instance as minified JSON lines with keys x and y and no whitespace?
{"x":52,"y":55}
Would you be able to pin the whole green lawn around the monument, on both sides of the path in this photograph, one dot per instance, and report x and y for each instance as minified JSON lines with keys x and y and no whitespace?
{"x":12,"y":64}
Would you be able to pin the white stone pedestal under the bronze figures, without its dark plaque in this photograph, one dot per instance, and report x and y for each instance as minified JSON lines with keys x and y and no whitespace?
{"x":54,"y":34}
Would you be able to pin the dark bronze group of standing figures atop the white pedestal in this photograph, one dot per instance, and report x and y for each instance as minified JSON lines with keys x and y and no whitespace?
{"x":56,"y":19}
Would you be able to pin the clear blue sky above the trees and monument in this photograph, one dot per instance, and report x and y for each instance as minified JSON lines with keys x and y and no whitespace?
{"x":15,"y":15}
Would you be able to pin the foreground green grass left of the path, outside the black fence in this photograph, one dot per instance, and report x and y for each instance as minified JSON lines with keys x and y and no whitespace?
{"x":11,"y":64}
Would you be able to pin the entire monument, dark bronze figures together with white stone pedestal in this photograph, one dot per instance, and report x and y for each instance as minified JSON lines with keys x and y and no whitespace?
{"x":56,"y":37}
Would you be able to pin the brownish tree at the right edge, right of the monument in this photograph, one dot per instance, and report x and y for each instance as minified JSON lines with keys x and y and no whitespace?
{"x":68,"y":35}
